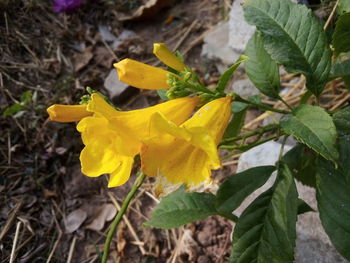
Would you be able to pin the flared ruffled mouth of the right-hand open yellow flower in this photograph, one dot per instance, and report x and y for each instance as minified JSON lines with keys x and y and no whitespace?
{"x":179,"y":154}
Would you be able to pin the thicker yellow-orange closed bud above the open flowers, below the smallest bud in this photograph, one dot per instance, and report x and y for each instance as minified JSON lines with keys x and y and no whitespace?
{"x":142,"y":76}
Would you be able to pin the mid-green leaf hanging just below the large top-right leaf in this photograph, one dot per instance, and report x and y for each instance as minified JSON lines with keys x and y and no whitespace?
{"x":261,"y":69}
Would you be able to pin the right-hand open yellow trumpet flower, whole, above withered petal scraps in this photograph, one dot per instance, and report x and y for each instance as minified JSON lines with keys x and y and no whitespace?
{"x":186,"y":153}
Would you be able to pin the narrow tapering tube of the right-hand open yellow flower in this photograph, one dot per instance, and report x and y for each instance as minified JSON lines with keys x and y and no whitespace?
{"x":213,"y":116}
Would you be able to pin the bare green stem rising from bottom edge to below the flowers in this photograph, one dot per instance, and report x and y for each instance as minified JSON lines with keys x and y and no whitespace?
{"x":138,"y":182}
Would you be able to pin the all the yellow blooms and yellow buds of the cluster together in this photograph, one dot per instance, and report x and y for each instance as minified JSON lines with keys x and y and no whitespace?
{"x":171,"y":144}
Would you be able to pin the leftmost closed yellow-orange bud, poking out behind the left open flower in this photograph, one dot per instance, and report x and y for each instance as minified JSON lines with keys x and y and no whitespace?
{"x":67,"y":113}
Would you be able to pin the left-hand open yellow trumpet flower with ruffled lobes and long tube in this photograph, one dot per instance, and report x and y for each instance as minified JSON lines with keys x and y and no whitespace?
{"x":112,"y":138}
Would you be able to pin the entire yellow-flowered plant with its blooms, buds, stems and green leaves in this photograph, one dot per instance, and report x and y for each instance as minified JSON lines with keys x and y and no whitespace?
{"x":179,"y":140}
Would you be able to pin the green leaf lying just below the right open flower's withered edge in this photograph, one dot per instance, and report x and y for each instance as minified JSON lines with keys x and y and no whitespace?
{"x":180,"y":208}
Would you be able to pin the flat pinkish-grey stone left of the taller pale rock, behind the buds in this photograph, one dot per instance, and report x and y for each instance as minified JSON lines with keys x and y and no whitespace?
{"x":216,"y":47}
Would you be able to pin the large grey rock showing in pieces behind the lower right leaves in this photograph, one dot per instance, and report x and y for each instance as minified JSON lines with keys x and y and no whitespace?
{"x":312,"y":244}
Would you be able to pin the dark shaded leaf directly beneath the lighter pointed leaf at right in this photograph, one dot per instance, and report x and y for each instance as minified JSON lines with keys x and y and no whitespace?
{"x":301,"y":162}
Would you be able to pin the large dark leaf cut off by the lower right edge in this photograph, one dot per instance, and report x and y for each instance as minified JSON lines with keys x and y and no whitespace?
{"x":333,"y":198}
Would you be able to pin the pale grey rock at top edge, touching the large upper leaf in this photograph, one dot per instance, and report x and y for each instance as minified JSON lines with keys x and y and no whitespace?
{"x":239,"y":30}
